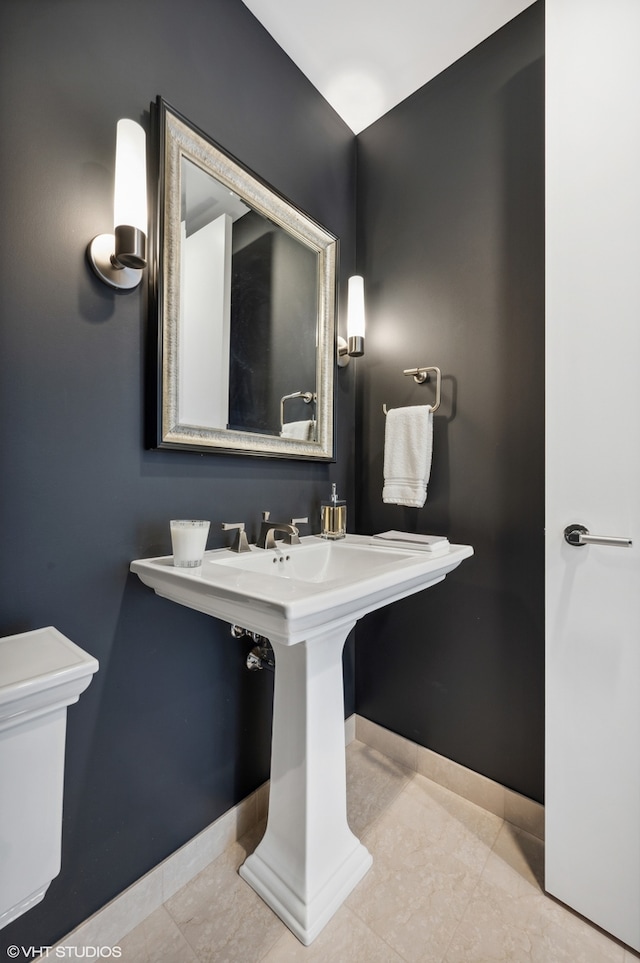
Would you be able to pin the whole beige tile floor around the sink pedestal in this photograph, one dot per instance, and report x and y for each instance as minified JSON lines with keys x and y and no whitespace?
{"x":451,"y":883}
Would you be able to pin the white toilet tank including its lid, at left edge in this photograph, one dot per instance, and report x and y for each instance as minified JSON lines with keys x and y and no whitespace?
{"x":41,"y":673}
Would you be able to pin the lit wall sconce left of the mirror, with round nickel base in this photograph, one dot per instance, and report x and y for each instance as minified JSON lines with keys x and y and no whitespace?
{"x":118,"y":259}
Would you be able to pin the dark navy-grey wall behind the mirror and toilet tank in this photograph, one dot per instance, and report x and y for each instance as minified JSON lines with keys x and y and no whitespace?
{"x":173,"y":730}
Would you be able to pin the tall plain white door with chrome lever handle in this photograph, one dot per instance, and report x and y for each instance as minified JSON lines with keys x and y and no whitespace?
{"x":592,"y":791}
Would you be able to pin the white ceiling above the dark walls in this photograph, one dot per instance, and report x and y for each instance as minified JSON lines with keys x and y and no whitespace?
{"x":365,"y":56}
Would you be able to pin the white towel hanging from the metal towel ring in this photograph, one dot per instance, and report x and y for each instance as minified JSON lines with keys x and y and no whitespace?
{"x":408,"y":444}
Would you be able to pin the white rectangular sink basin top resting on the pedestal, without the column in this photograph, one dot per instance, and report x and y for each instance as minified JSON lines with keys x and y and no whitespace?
{"x":296,"y":591}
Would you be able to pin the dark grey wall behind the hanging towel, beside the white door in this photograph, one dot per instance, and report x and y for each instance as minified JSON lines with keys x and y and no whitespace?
{"x":450,"y":241}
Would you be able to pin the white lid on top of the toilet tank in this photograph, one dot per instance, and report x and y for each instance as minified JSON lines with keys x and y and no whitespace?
{"x":38,"y":660}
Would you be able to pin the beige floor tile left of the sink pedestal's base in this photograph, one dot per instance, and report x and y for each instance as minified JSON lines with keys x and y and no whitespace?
{"x":220,"y":916}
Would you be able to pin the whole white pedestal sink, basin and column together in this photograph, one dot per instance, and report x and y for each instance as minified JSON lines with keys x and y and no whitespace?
{"x":305,"y":599}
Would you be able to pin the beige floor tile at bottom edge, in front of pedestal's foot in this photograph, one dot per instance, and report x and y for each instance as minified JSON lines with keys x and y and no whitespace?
{"x":345,"y":939}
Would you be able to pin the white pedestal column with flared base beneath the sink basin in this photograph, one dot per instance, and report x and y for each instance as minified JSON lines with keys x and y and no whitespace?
{"x":309,"y":860}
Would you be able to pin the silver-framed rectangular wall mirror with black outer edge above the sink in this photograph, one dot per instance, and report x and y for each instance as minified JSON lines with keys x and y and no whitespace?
{"x":245,"y":289}
